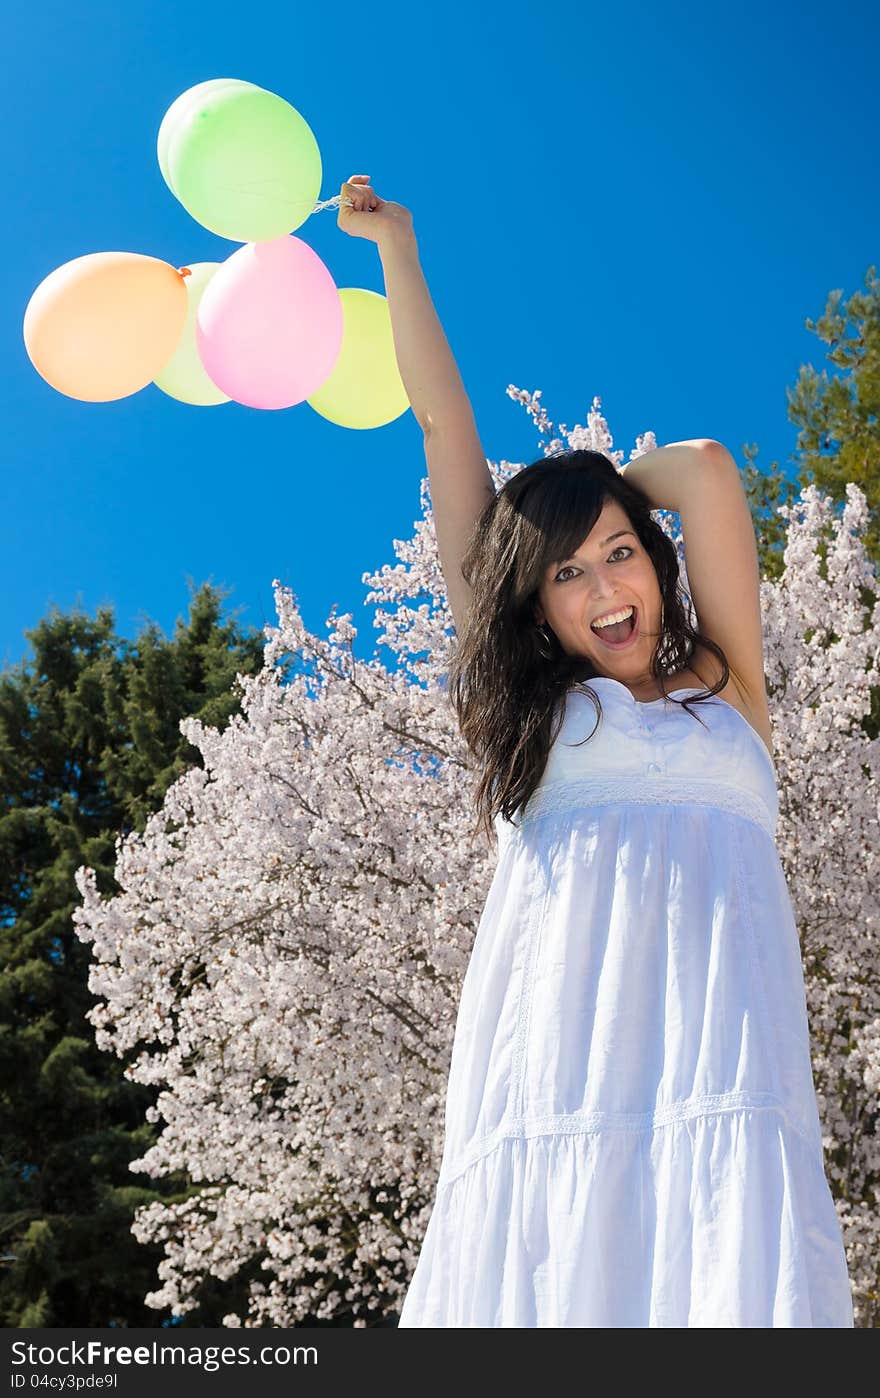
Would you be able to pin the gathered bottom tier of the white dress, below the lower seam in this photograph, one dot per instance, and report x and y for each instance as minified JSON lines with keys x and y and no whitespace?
{"x":710,"y":1221}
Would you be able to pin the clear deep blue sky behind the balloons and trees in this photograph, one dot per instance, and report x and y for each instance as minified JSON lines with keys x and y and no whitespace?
{"x":634,"y":201}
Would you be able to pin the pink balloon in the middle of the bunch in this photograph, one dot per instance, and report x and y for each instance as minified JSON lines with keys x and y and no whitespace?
{"x":271,"y":324}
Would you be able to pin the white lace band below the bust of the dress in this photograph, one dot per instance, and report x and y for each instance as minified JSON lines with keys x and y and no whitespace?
{"x":640,"y":789}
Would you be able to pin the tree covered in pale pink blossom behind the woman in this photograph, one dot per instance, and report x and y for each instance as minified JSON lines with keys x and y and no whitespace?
{"x":286,"y":957}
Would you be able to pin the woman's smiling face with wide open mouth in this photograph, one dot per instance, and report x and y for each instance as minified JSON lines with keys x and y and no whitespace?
{"x":604,"y":577}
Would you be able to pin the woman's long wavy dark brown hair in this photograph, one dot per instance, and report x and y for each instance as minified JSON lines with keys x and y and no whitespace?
{"x":503,"y":686}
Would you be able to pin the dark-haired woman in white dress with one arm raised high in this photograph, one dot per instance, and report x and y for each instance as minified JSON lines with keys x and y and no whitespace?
{"x":632,"y":1137}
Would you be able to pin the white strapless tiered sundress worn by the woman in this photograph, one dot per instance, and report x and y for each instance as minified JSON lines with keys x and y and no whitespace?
{"x":632,"y":1130}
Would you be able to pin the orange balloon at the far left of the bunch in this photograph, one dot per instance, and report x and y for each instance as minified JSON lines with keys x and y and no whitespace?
{"x":104,"y":326}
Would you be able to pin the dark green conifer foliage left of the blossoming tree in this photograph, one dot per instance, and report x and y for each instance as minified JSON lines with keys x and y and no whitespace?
{"x":89,"y":747}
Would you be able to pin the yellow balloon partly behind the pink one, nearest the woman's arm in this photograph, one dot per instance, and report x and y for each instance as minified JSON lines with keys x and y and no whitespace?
{"x":364,"y":389}
